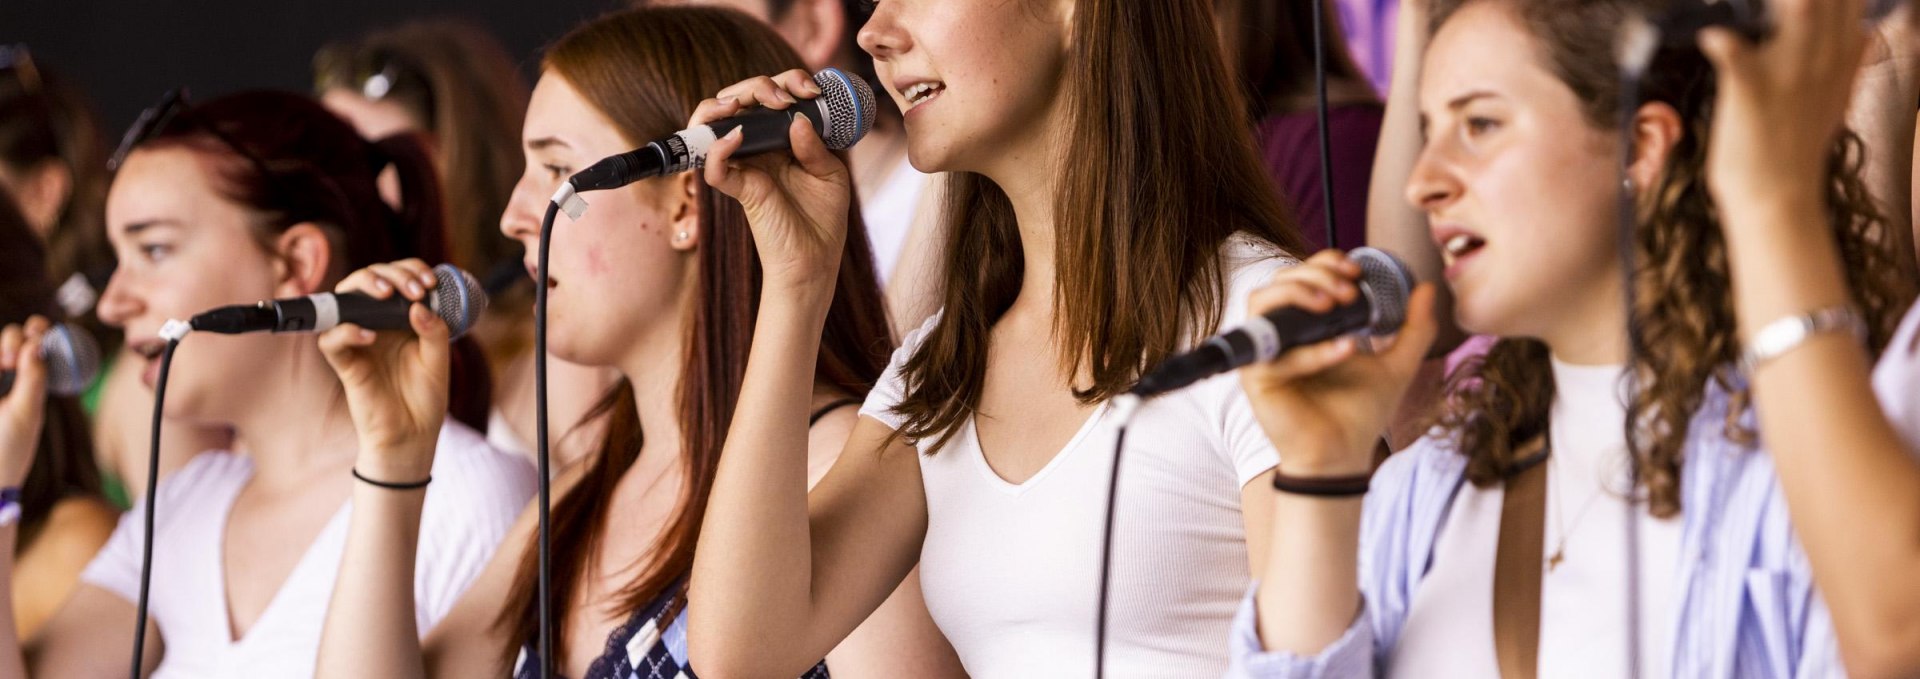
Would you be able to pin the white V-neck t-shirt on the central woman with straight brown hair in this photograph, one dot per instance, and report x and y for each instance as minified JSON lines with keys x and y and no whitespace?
{"x":1013,"y":573}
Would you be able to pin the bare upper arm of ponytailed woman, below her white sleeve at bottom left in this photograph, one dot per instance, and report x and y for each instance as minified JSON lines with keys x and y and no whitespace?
{"x":93,"y":638}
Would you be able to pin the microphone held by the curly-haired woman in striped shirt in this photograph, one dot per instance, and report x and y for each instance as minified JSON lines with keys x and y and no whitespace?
{"x":1380,"y":312}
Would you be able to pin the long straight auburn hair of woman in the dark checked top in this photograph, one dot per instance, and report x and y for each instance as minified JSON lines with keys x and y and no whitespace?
{"x":646,"y":70}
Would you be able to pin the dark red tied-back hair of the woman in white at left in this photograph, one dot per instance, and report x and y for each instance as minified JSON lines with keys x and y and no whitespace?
{"x":287,"y":160}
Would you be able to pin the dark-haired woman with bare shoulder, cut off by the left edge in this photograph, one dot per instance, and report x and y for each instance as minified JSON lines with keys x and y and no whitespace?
{"x":64,"y":517}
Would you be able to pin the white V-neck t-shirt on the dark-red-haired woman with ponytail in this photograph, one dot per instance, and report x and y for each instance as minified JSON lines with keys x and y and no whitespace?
{"x":475,"y":498}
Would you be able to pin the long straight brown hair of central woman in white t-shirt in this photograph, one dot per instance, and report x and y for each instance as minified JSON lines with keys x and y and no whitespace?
{"x":1163,"y":176}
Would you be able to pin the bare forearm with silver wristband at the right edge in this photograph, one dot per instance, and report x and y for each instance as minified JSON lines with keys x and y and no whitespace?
{"x":1854,"y":490}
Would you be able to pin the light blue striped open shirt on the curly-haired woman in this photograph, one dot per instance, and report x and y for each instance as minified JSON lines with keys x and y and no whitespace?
{"x":1746,"y":603}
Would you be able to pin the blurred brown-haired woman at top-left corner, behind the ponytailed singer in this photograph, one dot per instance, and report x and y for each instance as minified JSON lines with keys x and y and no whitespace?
{"x":55,"y":162}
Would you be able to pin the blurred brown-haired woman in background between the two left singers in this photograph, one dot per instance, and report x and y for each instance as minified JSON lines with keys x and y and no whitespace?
{"x":454,"y":83}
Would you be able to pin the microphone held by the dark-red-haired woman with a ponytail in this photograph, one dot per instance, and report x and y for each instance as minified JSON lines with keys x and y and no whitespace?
{"x":456,"y":300}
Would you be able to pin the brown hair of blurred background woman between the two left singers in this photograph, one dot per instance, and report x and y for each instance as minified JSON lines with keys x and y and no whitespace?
{"x":464,"y":87}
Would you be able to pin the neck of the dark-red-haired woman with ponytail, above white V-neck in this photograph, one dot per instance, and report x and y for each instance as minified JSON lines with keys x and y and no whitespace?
{"x":302,"y":427}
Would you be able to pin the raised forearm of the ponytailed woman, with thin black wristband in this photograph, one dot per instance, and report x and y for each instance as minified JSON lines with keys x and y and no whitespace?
{"x":370,"y":622}
